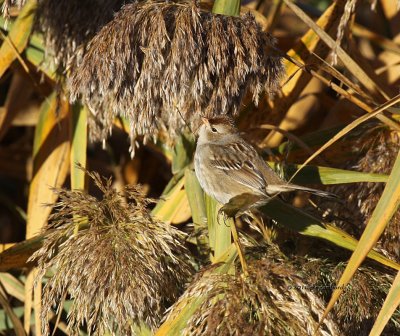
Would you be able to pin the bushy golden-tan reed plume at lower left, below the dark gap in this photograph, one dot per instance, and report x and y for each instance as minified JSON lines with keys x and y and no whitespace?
{"x":122,"y":268}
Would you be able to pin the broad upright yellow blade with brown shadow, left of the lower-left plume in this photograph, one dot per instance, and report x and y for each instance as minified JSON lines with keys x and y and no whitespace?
{"x":51,"y":164}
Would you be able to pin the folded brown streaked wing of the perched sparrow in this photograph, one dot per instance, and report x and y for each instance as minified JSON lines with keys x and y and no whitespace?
{"x":239,"y":161}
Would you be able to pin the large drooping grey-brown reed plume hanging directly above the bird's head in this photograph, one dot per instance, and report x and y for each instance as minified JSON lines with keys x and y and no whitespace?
{"x":157,"y":62}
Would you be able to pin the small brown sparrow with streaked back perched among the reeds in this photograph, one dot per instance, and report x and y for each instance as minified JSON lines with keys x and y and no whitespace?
{"x":227,"y":166}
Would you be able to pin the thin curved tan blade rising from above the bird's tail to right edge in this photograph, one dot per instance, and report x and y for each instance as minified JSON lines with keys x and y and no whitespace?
{"x":348,"y":128}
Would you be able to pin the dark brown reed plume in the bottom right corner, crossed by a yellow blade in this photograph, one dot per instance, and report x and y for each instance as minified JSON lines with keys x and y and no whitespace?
{"x":359,"y":305}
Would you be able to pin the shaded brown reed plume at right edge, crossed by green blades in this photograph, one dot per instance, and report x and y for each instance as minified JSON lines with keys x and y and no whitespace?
{"x":375,"y":151}
